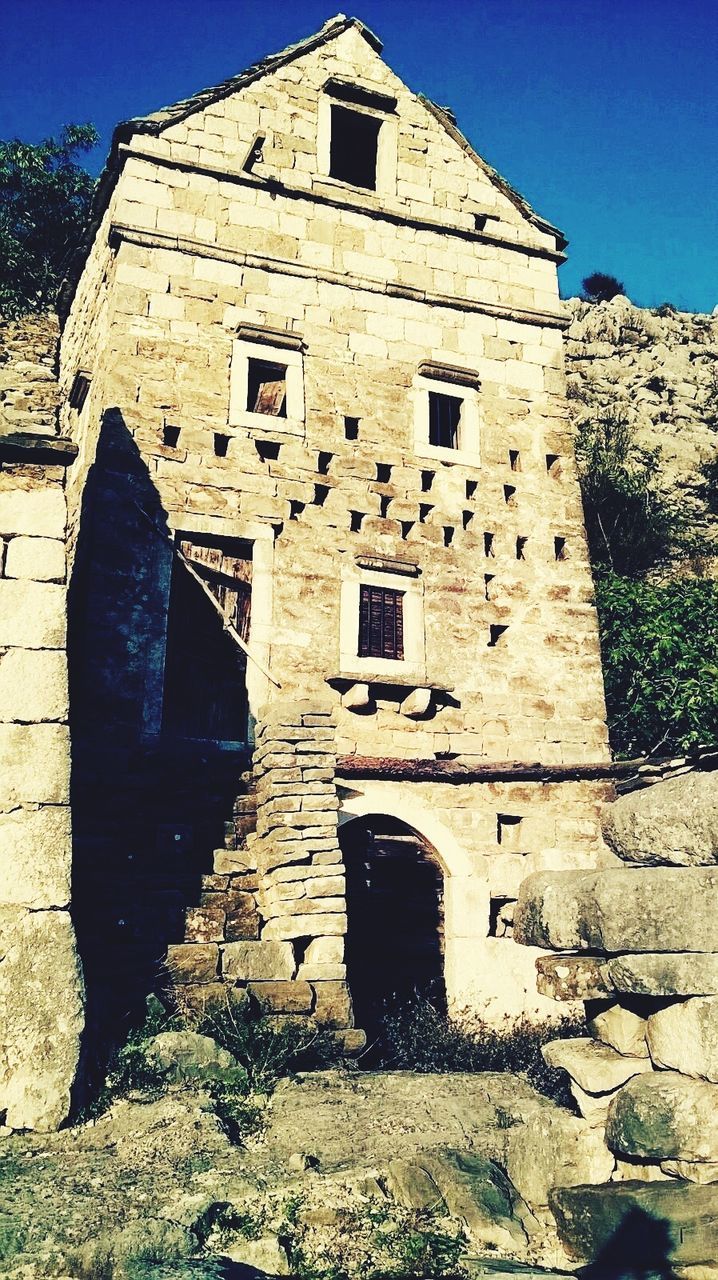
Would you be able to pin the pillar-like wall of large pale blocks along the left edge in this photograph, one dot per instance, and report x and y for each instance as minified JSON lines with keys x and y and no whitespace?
{"x":42,"y":996}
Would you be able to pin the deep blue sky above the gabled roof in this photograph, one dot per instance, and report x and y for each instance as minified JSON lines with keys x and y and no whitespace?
{"x":605,"y":115}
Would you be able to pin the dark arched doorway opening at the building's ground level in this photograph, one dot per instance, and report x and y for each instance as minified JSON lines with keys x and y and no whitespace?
{"x":396,"y":916}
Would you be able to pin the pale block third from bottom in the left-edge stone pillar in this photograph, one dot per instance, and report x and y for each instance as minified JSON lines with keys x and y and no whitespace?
{"x":35,"y":764}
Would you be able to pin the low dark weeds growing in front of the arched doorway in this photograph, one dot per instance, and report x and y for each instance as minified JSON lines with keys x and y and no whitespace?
{"x":419,"y":1037}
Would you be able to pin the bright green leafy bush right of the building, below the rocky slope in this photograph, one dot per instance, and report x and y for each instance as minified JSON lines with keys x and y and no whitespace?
{"x":660,"y":648}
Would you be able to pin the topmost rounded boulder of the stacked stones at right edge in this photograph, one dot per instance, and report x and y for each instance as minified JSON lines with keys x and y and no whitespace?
{"x":671,"y":824}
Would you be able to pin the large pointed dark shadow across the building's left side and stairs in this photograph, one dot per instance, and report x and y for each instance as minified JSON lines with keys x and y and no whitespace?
{"x":149,"y":804}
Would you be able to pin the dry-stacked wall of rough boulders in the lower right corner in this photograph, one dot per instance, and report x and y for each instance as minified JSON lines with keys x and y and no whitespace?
{"x":648,"y":1075}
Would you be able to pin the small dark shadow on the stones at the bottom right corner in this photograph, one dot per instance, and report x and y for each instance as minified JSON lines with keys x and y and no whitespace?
{"x":639,"y":1250}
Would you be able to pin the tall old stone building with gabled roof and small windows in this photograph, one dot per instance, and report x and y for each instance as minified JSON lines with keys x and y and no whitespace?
{"x":323,"y":509}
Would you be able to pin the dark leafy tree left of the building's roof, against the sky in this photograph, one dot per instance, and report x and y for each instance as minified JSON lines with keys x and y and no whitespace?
{"x":45,"y":198}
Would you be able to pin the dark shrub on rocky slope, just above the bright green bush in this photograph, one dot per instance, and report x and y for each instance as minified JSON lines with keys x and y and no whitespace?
{"x":629,"y":524}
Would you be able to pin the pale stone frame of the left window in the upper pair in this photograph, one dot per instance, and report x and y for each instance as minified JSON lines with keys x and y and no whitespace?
{"x":245,"y":350}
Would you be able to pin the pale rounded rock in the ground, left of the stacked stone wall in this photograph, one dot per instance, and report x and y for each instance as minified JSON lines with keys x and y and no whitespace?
{"x":555,"y":1149}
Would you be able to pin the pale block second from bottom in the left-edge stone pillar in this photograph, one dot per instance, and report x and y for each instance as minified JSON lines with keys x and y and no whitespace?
{"x":35,"y":857}
